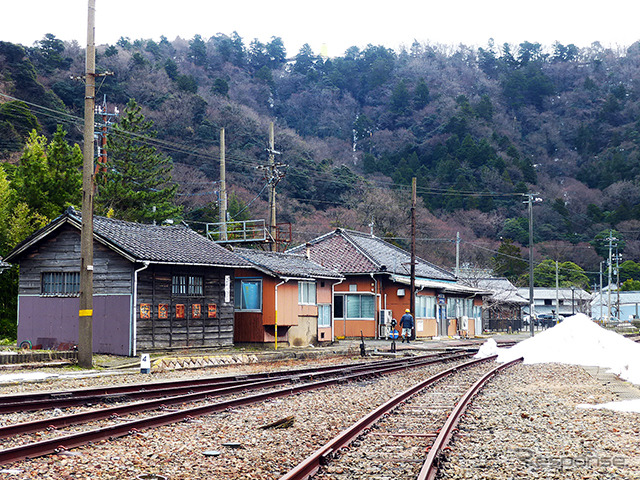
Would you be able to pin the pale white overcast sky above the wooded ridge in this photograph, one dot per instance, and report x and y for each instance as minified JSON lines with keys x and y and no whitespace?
{"x":336,"y":24}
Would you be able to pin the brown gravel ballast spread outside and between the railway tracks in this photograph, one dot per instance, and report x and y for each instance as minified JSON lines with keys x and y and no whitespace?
{"x":525,"y":424}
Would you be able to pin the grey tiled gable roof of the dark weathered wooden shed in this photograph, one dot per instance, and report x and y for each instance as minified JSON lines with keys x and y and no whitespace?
{"x":174,"y":244}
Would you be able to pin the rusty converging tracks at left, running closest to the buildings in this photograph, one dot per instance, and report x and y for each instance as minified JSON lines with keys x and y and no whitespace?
{"x":233,"y":389}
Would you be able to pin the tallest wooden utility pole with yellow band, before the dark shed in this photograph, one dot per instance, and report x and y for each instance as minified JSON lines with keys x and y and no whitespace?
{"x":85,"y":324}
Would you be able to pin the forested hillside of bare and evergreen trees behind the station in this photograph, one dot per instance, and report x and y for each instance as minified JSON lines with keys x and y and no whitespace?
{"x":477,"y":127}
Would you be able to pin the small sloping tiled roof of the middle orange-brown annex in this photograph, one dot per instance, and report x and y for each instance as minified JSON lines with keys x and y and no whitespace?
{"x":286,"y":264}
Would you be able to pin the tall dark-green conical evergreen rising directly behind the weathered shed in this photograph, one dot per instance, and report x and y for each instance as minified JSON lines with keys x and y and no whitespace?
{"x":137,"y":183}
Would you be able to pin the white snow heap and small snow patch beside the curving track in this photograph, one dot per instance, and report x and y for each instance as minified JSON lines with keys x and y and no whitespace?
{"x":578,"y":341}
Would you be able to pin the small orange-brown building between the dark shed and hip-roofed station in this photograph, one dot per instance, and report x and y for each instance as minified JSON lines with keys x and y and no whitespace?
{"x":283,"y":292}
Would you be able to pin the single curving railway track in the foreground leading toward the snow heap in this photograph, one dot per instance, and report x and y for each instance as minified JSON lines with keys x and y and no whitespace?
{"x":405,"y":437}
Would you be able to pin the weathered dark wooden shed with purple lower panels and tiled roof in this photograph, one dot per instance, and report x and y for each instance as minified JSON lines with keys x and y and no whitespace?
{"x":154,"y":286}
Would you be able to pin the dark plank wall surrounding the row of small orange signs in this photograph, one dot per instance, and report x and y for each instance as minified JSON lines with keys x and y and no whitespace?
{"x":154,"y":288}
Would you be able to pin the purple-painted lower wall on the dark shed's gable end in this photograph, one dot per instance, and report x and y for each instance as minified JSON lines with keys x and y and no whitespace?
{"x":50,"y":321}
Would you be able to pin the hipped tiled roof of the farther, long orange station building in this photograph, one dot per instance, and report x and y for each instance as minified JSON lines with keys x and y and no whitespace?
{"x":351,"y":252}
